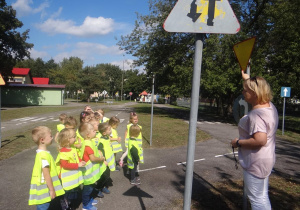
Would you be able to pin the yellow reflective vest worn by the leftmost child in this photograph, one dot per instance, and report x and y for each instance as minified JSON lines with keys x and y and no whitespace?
{"x":39,"y":191}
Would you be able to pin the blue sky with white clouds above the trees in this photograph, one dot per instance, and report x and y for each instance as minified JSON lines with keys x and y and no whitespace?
{"x":87,"y":29}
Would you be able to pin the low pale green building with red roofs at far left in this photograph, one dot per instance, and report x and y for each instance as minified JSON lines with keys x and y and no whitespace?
{"x":23,"y":90}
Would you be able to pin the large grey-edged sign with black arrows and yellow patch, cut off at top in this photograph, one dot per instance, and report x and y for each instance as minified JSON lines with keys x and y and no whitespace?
{"x":202,"y":16}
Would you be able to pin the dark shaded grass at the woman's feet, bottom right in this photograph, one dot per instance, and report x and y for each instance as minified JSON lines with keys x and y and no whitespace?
{"x":228,"y":194}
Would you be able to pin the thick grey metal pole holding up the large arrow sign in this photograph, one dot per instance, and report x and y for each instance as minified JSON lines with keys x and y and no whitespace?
{"x":193,"y":122}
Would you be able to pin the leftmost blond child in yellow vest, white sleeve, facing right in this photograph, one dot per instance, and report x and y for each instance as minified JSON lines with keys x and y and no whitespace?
{"x":45,"y":184}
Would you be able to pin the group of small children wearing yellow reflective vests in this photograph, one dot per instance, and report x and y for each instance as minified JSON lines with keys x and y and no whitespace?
{"x":86,"y":156}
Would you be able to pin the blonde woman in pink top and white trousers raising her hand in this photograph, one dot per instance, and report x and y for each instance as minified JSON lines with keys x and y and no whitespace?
{"x":256,"y":142}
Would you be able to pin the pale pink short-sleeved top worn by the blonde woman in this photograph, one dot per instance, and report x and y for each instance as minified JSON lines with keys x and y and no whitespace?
{"x":259,"y":162}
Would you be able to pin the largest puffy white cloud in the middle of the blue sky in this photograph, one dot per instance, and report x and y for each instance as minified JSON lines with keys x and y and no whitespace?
{"x":90,"y":27}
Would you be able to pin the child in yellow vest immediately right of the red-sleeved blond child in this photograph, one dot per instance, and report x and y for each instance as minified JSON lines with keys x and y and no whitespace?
{"x":106,"y":149}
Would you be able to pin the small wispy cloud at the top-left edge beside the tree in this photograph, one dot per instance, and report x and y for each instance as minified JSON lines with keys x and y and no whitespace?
{"x":23,"y":7}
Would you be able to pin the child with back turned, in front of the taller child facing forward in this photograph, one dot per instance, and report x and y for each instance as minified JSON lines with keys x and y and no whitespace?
{"x":135,"y":154}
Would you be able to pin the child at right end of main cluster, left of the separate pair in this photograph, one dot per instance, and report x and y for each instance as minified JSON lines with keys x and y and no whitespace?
{"x":115,"y":139}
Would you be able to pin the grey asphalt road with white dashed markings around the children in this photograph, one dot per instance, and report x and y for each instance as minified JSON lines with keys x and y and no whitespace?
{"x":162,"y":175}
